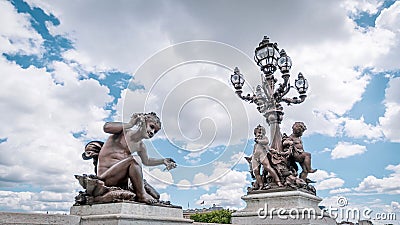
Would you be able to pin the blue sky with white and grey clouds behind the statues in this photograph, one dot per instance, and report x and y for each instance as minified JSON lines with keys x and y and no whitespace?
{"x":67,"y":67}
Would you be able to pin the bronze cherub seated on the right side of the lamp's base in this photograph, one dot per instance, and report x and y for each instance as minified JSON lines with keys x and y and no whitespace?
{"x":295,"y":145}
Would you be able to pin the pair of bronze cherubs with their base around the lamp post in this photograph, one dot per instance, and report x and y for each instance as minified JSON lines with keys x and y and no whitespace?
{"x":279,"y":167}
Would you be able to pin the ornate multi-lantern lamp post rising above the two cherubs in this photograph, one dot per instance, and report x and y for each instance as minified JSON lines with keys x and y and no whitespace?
{"x":268,"y":96}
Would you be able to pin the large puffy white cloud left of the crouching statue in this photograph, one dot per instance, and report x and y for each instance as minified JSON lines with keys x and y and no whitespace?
{"x":44,"y":116}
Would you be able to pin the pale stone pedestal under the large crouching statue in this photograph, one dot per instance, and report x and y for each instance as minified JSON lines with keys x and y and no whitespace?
{"x":128,"y":213}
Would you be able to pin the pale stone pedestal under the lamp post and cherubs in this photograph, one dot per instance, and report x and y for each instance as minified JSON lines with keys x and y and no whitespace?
{"x":285,"y":207}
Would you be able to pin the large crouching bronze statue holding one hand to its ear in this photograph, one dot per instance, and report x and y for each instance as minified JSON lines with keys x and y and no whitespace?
{"x":116,"y":165}
